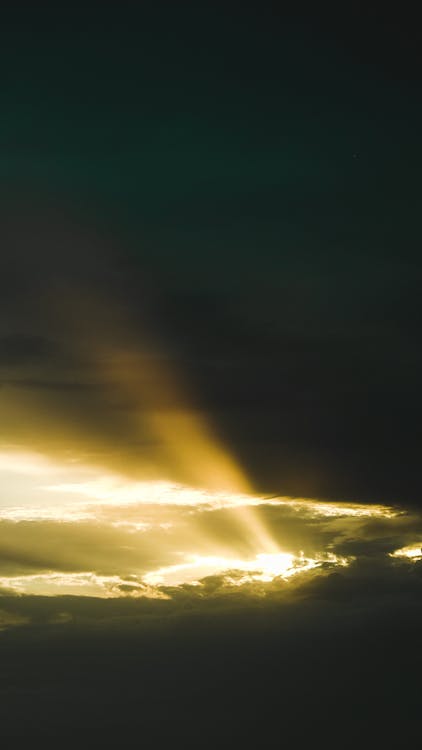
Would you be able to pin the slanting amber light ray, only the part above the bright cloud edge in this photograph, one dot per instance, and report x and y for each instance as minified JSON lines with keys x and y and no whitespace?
{"x":126,"y":361}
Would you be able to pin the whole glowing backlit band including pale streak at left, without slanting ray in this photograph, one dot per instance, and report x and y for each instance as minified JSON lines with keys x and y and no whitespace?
{"x":101,"y":534}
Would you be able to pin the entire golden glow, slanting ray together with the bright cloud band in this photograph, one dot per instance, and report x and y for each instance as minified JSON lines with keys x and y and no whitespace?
{"x":138,"y":507}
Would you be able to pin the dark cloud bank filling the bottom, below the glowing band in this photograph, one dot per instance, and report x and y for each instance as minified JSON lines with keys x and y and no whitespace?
{"x":344,"y":655}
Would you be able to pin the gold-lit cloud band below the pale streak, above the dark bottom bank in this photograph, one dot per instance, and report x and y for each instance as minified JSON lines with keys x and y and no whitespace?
{"x":200,"y":553}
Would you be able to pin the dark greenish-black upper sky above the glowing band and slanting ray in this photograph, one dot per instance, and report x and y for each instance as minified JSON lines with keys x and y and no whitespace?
{"x":245,"y":184}
